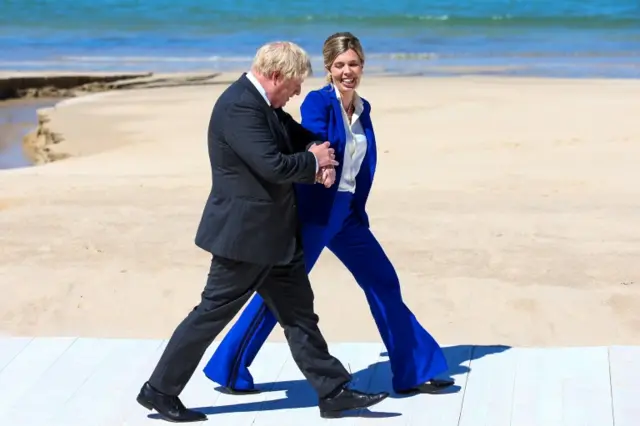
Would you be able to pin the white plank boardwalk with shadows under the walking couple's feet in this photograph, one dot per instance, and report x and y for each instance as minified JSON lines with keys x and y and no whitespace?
{"x":94,"y":382}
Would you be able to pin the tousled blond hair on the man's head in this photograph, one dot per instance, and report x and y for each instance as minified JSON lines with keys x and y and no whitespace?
{"x":282,"y":57}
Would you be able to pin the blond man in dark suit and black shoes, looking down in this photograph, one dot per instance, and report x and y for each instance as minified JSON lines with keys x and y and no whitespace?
{"x":249,"y":225}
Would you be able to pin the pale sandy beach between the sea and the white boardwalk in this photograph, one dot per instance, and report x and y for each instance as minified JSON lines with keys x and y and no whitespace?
{"x":508,"y":206}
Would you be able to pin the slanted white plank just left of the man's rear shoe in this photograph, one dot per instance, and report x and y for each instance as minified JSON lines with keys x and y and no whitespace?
{"x":108,"y":395}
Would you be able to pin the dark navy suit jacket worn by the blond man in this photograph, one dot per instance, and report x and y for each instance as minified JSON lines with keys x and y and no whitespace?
{"x":256,"y":155}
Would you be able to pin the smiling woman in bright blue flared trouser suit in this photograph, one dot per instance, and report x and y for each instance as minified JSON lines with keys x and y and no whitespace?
{"x":335,"y":217}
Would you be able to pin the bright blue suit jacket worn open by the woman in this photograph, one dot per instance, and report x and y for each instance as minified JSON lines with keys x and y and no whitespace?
{"x":321,"y":114}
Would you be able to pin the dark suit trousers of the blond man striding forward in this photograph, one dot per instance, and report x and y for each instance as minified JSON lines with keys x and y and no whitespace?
{"x":230,"y":284}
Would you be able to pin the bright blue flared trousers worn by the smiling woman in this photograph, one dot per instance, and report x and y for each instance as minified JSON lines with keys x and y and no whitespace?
{"x":414,"y":355}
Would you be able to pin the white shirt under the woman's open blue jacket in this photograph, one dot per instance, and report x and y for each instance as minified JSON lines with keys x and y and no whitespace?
{"x":355,"y":147}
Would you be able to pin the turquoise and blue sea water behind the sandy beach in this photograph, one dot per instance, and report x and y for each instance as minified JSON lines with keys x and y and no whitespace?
{"x":550,"y":37}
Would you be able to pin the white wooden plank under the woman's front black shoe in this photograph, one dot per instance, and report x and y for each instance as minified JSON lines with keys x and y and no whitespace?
{"x":441,"y":410}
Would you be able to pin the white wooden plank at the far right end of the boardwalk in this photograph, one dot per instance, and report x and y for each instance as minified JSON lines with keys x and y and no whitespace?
{"x":625,"y":384}
